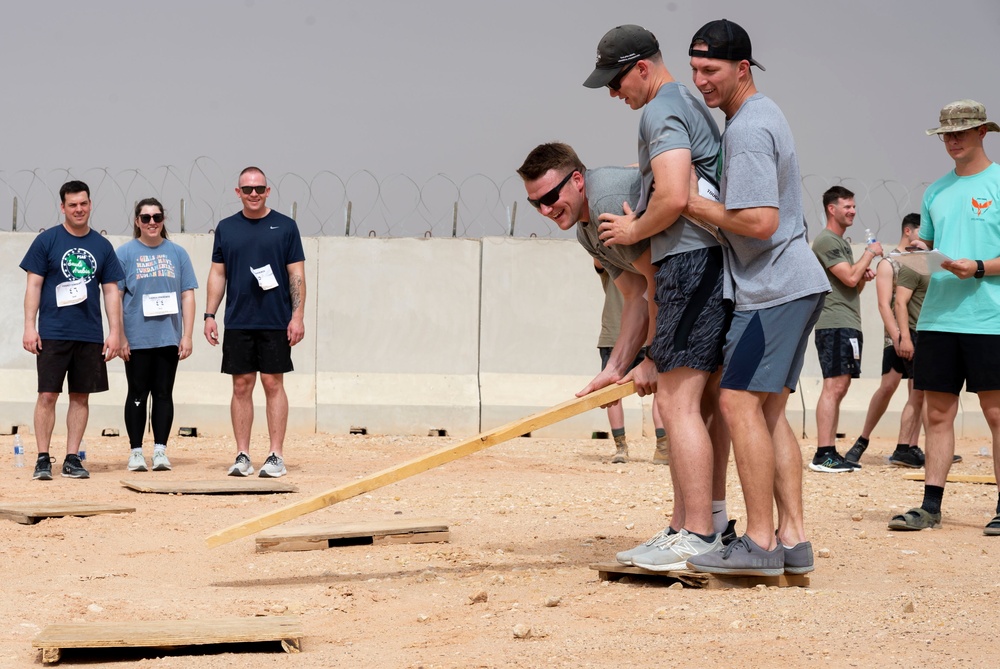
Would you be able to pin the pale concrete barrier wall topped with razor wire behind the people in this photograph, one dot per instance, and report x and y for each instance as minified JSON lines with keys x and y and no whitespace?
{"x":404,"y":336}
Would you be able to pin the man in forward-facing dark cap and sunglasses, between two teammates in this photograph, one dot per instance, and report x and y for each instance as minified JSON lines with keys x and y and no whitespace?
{"x":676,"y":133}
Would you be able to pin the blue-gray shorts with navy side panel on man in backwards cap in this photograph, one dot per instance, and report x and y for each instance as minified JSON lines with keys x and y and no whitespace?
{"x":765,"y":348}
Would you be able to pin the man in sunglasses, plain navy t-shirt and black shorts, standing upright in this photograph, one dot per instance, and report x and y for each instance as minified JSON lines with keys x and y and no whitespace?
{"x":259,"y":265}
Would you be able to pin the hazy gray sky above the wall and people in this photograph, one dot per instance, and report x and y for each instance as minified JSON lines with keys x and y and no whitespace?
{"x":462,"y":88}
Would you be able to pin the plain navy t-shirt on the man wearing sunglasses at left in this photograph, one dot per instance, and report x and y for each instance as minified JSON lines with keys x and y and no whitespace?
{"x":246,"y":244}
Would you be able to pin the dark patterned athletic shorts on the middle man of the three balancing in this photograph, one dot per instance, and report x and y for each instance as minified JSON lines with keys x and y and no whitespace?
{"x":692,"y":316}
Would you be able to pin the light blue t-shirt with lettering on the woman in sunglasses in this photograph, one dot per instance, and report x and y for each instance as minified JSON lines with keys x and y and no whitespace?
{"x":163,"y":269}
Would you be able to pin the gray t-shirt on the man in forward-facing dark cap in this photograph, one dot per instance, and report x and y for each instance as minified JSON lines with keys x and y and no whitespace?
{"x":675,"y":119}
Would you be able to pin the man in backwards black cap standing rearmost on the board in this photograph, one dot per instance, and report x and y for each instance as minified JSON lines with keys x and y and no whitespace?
{"x":779,"y":291}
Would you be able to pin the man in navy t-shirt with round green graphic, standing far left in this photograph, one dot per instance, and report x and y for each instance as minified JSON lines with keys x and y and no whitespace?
{"x":69,"y":267}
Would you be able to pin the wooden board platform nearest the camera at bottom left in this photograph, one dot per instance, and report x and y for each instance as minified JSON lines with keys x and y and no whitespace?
{"x":168,"y":633}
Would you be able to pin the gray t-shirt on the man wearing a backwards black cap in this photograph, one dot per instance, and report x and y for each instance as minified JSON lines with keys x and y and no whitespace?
{"x":760,"y":170}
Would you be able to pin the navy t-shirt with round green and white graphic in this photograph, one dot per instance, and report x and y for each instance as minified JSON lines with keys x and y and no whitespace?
{"x":58,"y":257}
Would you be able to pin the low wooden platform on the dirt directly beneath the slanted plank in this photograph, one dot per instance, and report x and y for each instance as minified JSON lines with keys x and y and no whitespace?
{"x":316,"y":537}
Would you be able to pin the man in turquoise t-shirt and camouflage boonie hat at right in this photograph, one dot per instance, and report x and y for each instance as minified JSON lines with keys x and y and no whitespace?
{"x":959,"y":324}
